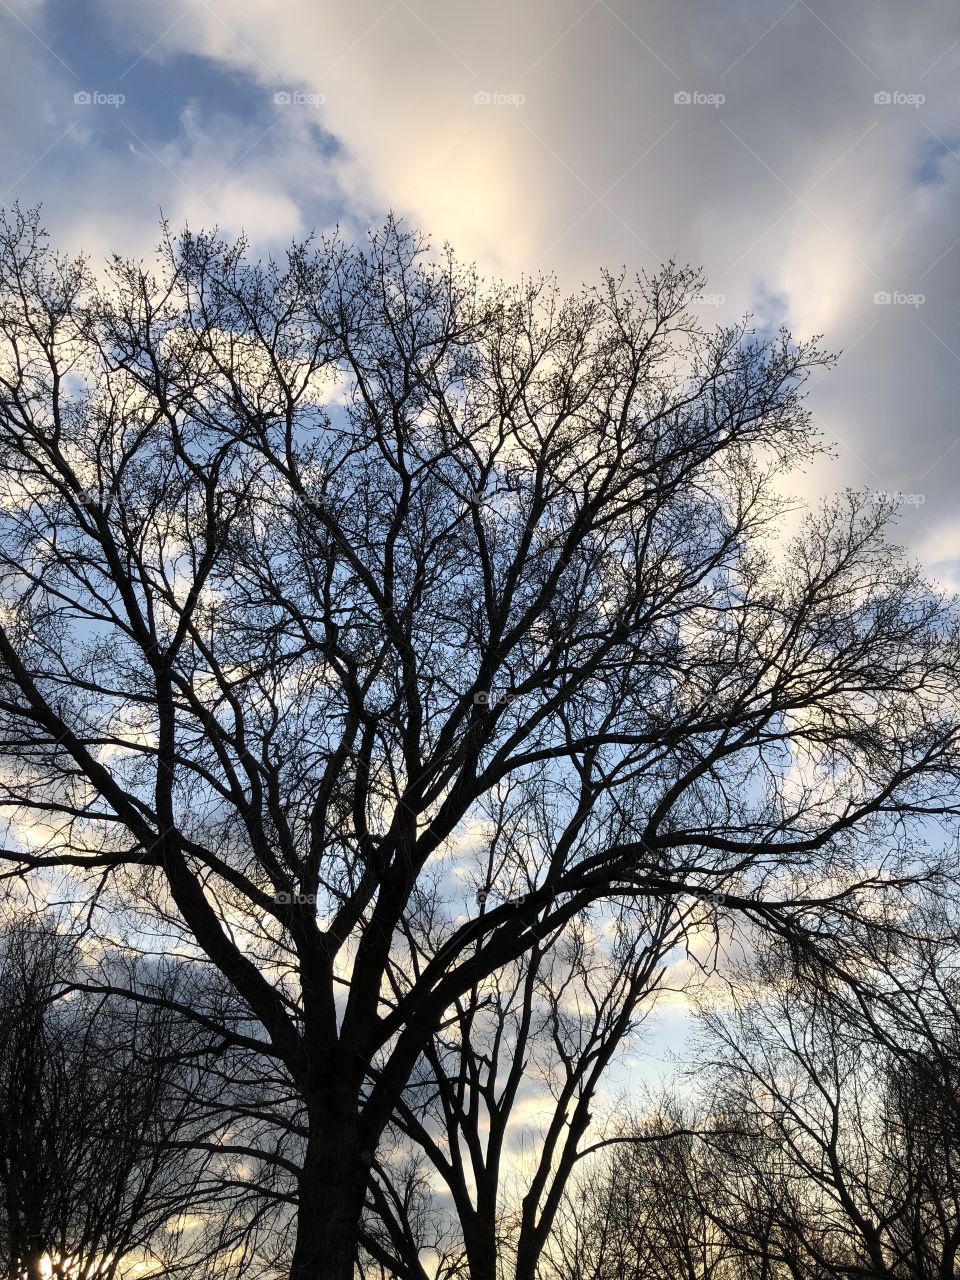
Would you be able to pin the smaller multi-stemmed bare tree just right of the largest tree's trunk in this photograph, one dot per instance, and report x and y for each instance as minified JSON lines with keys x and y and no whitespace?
{"x":501,"y":1101}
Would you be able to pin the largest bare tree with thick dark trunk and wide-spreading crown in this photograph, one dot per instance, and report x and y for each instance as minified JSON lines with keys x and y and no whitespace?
{"x":304,"y":563}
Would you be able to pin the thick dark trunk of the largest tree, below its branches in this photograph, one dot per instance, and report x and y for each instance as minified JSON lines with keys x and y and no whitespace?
{"x":331,"y":1196}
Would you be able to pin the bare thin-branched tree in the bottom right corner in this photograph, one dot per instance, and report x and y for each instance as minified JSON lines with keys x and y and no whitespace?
{"x":852,"y":1164}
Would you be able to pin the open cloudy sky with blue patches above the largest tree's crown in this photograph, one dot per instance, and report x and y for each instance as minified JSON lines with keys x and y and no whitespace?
{"x":804,"y":153}
